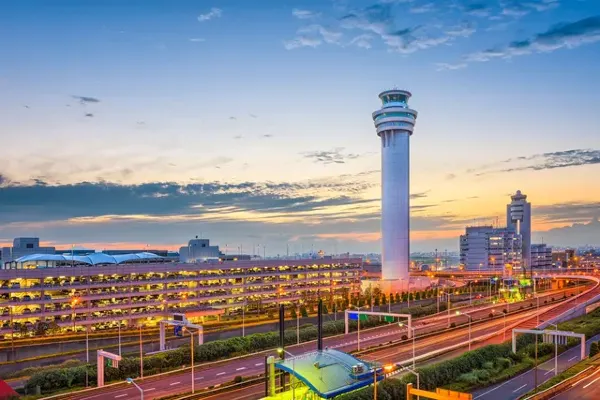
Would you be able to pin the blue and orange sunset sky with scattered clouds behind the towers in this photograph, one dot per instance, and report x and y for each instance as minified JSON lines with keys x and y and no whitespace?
{"x":138,"y":123}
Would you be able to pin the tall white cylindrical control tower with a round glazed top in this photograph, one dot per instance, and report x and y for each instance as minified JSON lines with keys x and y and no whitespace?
{"x":394,"y":123}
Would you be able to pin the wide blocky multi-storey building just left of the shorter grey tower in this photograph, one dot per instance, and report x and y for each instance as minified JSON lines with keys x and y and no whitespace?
{"x":489,"y":248}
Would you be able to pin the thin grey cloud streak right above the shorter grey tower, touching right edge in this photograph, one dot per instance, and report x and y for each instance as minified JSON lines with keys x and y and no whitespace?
{"x":543,"y":161}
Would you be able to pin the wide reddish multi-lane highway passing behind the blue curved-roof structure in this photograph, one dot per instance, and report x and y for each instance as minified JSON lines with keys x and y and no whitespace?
{"x":216,"y":373}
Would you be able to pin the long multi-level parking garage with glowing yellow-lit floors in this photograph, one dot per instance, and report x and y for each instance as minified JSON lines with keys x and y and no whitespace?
{"x":71,"y":293}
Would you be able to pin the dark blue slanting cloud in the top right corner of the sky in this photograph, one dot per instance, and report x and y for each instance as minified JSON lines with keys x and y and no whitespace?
{"x":564,"y":35}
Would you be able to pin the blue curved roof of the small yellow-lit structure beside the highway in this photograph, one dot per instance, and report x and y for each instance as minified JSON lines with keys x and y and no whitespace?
{"x":328,"y":373}
